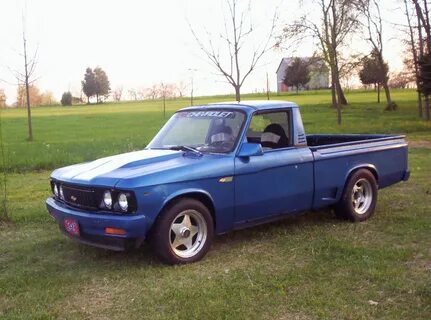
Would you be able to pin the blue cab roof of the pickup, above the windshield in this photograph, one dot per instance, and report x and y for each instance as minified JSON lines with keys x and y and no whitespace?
{"x":250,"y":104}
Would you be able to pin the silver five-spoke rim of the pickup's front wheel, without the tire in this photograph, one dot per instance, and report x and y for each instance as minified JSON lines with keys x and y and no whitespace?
{"x":188,"y":233}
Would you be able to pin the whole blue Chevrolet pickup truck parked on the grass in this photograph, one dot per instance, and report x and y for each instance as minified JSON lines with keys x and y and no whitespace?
{"x":219,"y":167}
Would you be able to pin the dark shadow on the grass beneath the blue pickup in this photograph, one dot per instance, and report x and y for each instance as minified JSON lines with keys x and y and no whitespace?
{"x":74,"y":254}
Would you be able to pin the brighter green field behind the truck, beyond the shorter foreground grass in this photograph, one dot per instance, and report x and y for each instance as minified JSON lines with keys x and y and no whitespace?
{"x":83,"y":133}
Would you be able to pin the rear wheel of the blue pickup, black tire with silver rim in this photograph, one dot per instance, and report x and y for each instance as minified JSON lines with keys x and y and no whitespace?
{"x":356,"y":205}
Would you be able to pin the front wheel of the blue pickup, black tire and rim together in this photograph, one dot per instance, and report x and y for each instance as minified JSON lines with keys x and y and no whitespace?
{"x":163,"y":236}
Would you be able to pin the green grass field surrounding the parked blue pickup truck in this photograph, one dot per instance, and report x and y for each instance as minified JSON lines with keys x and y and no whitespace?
{"x":310,"y":266}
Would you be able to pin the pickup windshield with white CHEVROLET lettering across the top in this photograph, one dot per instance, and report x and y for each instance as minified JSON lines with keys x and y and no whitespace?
{"x":214,"y":130}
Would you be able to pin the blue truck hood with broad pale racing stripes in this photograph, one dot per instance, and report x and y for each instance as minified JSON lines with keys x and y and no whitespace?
{"x":143,"y":167}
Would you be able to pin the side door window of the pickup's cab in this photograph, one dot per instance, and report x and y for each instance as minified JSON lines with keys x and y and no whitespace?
{"x":271,"y":130}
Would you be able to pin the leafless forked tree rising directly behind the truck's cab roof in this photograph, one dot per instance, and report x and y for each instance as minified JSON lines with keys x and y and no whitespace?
{"x":238,"y":30}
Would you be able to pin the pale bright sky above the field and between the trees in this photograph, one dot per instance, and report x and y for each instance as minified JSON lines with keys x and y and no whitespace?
{"x":140,"y":43}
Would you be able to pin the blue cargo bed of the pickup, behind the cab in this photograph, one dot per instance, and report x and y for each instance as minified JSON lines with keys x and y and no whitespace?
{"x":336,"y":156}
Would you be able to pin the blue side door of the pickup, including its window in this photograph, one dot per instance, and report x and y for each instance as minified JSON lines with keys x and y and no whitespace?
{"x":279,"y":181}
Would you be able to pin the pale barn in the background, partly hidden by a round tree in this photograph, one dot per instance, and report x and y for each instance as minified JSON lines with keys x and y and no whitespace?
{"x":319,"y":75}
